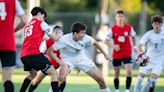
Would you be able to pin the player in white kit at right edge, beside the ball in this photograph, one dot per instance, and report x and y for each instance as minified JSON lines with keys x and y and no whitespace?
{"x":155,"y":51}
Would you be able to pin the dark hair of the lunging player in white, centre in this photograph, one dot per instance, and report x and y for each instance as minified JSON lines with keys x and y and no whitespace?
{"x":78,"y":26}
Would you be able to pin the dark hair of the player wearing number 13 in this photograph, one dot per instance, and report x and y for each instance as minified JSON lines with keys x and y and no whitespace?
{"x":36,"y":10}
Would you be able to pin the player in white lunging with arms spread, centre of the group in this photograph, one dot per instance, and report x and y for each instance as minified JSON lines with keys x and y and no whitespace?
{"x":72,"y":53}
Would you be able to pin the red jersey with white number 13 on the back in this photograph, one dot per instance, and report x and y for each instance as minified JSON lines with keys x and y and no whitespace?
{"x":33,"y":36}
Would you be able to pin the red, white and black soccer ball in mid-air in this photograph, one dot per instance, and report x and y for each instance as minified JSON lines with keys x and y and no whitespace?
{"x":142,"y":60}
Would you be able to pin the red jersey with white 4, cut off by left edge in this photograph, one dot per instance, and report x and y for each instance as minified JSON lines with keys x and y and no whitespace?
{"x":7,"y":15}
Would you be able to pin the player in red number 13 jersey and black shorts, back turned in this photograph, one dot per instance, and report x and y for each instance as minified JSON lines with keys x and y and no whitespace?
{"x":30,"y":55}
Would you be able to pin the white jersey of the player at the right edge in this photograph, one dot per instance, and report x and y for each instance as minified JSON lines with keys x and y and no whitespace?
{"x":155,"y":45}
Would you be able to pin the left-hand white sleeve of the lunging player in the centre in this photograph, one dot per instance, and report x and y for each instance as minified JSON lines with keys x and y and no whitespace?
{"x":59,"y":44}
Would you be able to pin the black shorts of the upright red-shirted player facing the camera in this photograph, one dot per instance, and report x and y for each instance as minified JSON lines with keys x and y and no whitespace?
{"x":118,"y":62}
